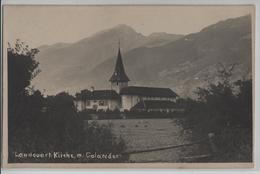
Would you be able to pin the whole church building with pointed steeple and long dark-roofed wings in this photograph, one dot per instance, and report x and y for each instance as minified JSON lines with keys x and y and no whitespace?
{"x":126,"y":98}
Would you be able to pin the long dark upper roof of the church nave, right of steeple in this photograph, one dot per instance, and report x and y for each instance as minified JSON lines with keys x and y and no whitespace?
{"x":148,"y":91}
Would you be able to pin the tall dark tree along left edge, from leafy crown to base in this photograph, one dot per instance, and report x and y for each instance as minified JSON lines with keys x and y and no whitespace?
{"x":22,"y":68}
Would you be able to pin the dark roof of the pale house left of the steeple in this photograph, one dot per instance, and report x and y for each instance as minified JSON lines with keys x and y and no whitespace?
{"x":98,"y":95}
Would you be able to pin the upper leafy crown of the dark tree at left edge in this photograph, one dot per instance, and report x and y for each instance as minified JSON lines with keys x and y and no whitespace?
{"x":22,"y":68}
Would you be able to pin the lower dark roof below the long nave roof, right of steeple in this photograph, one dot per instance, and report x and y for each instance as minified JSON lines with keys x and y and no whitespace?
{"x":154,"y":104}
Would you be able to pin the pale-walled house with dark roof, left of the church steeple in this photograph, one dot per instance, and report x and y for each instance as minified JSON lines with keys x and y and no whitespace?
{"x":97,"y":100}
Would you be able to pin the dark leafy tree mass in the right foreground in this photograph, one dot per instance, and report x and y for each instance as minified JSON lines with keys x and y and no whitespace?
{"x":225,"y":108}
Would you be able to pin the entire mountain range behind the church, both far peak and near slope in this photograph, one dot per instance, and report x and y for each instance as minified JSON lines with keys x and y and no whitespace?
{"x":160,"y":59}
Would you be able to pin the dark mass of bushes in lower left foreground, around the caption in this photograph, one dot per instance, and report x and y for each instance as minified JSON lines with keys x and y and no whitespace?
{"x":60,"y":129}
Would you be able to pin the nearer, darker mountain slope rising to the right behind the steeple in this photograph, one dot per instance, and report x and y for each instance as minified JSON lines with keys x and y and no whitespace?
{"x":187,"y":63}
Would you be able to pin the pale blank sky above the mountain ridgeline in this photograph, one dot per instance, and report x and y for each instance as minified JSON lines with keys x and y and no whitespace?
{"x":46,"y":25}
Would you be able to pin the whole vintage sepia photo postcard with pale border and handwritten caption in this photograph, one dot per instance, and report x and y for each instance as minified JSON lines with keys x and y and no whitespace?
{"x":128,"y":86}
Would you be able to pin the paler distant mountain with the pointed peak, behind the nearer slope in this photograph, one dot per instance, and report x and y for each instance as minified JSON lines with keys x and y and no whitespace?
{"x":62,"y":64}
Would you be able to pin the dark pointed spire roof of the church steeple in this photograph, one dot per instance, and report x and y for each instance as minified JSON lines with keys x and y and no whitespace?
{"x":119,"y":74}
